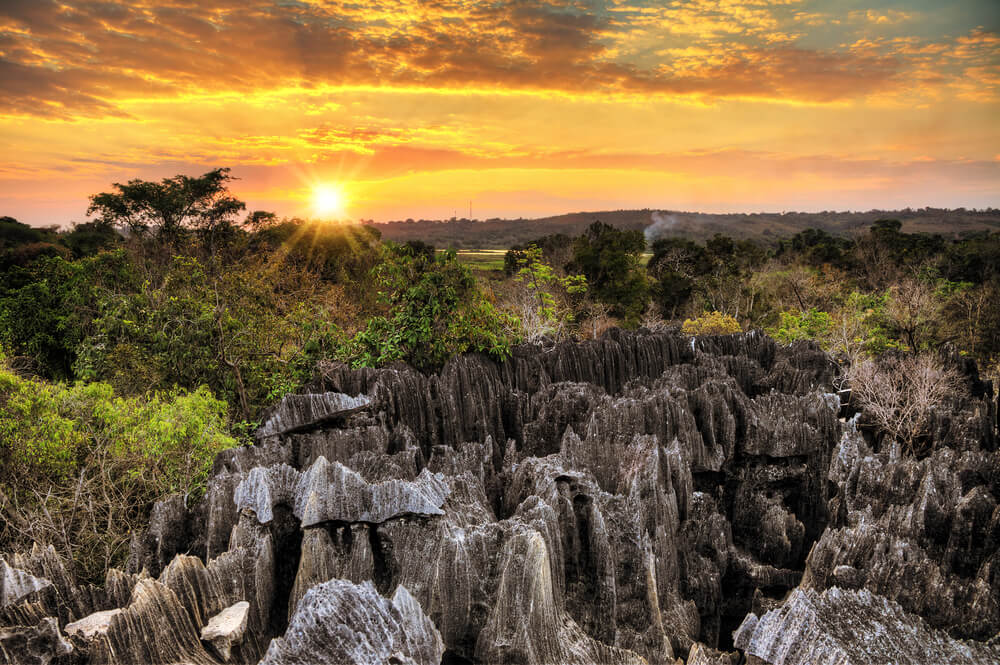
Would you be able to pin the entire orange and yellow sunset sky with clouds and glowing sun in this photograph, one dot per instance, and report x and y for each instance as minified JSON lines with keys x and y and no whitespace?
{"x":407,"y":109}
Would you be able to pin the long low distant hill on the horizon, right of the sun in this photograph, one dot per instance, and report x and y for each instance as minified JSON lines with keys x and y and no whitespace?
{"x":503,"y":233}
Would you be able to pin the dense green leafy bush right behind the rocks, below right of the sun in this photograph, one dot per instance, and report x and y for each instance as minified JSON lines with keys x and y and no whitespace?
{"x":434,"y":309}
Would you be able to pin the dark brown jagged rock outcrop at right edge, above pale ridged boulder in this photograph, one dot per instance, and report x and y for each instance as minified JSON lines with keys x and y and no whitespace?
{"x":924,"y":533}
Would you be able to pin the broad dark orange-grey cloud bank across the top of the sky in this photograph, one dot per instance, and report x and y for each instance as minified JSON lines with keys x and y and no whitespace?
{"x":82,"y":57}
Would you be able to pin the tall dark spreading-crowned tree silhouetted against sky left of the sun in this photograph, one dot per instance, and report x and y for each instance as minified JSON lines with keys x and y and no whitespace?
{"x":170,"y":207}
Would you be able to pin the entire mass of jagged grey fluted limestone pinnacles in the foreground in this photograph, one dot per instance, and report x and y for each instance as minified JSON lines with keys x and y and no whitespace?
{"x":636,"y":498}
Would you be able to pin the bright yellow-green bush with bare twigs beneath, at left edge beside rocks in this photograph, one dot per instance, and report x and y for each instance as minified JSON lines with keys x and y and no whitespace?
{"x":81,"y":466}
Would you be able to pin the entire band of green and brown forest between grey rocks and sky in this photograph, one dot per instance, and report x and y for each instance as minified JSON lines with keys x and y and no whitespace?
{"x":136,"y":346}
